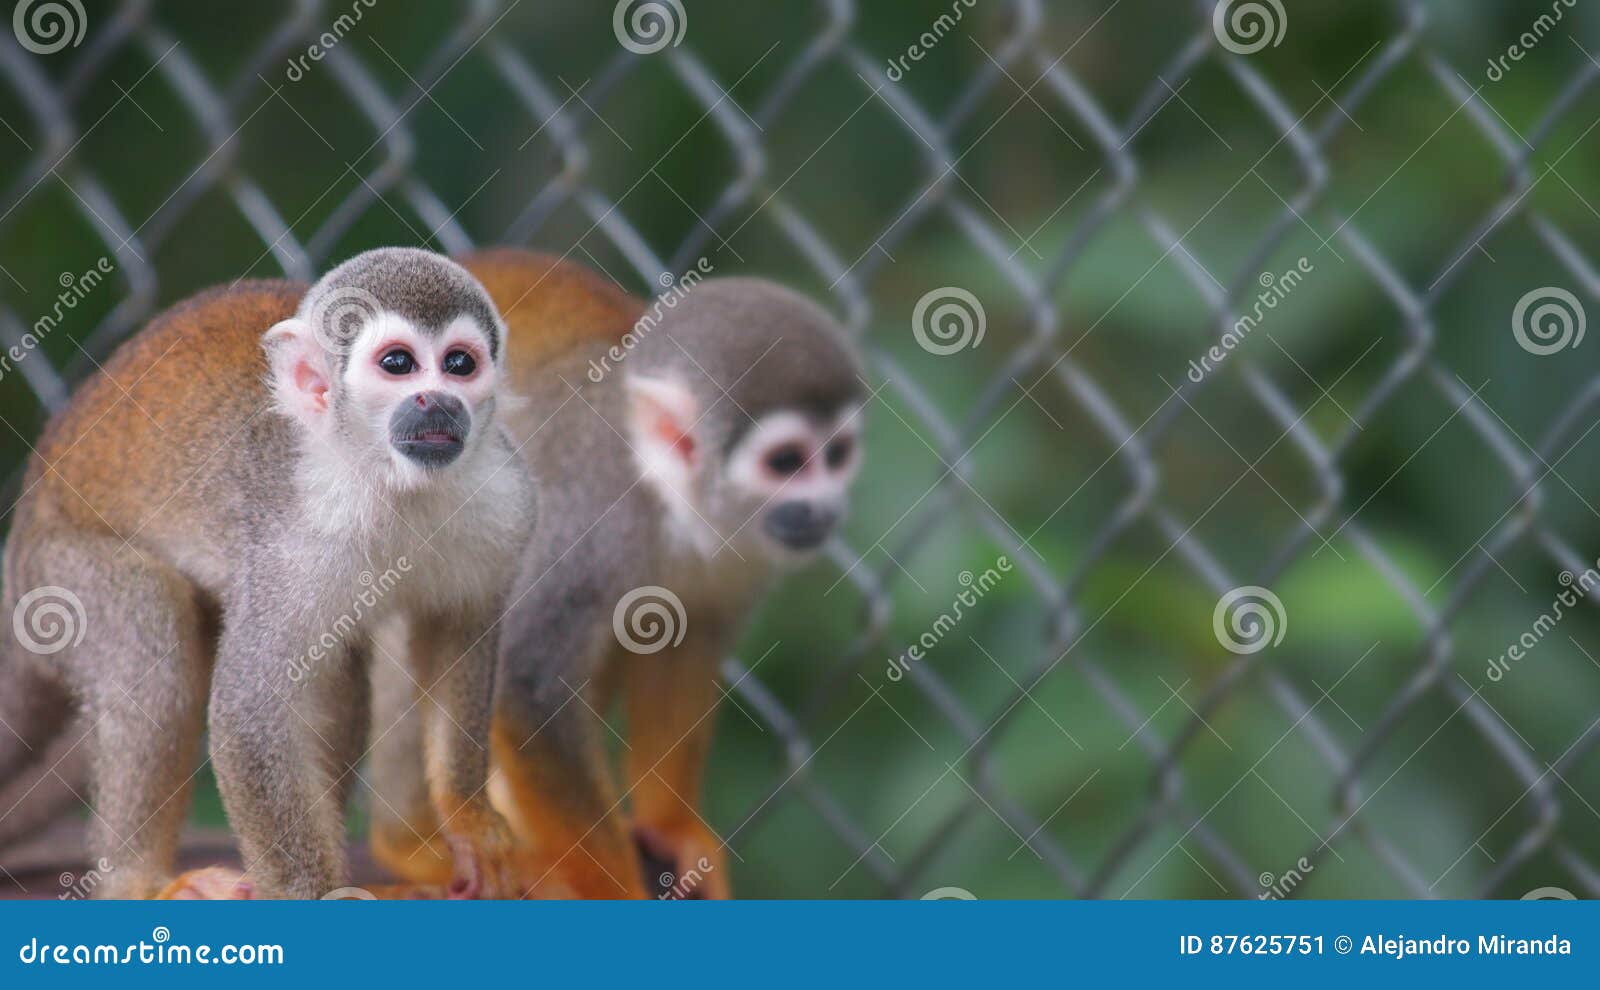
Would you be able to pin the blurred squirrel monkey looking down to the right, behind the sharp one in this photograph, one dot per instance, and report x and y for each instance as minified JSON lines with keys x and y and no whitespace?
{"x":686,"y":453}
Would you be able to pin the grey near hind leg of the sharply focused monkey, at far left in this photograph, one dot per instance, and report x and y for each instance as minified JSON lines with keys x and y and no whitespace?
{"x":140,"y":673}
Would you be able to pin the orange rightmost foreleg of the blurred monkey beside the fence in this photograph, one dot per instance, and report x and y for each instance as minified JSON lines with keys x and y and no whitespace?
{"x":671,"y":713}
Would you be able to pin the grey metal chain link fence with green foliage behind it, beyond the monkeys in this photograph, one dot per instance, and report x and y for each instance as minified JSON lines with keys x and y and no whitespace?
{"x":1188,"y":332}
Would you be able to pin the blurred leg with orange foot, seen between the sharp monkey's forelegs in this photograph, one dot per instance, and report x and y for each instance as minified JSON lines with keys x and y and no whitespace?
{"x":406,"y":836}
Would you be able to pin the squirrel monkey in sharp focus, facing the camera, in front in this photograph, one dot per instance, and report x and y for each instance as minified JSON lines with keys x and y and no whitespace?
{"x":206,"y":521}
